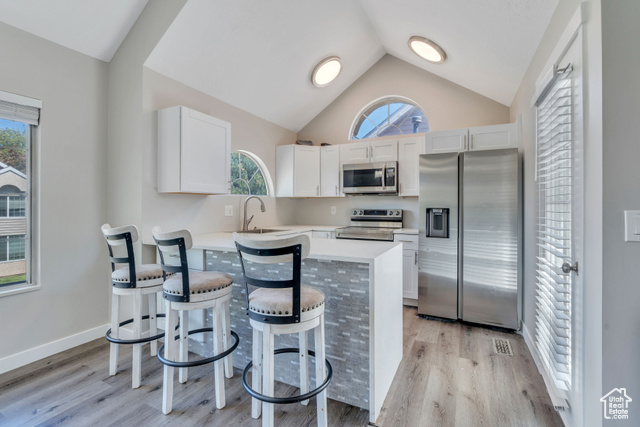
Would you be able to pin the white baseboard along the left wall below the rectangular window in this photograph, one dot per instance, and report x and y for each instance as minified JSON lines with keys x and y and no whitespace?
{"x":34,"y":354}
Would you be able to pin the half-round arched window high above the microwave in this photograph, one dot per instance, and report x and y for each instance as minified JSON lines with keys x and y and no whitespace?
{"x":391,"y":115}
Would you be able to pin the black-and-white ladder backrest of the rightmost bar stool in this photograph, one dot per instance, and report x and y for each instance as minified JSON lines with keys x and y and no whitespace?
{"x":270,"y":250}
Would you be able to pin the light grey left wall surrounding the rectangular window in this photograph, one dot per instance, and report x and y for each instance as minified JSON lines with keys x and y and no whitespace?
{"x":70,"y":193}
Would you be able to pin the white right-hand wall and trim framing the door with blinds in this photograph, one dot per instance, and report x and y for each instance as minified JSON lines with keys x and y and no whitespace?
{"x":586,"y":409}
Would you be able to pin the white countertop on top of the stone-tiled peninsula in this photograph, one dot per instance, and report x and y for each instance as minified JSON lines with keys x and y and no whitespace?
{"x":329,"y":249}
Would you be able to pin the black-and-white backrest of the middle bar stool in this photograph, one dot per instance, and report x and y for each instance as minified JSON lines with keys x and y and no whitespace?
{"x":171,"y":242}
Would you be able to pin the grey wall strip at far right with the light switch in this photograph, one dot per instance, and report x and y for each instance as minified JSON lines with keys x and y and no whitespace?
{"x":621,"y":260}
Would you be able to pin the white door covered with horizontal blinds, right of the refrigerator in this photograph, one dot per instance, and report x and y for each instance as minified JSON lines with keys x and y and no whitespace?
{"x":560,"y":181}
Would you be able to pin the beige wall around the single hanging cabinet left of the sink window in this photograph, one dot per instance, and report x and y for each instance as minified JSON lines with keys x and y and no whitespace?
{"x":200,"y":213}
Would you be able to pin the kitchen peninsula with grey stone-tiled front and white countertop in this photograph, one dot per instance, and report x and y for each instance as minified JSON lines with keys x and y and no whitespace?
{"x":362,"y":283}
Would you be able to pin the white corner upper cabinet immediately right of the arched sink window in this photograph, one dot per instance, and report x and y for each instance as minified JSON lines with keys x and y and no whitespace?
{"x":297,"y":171}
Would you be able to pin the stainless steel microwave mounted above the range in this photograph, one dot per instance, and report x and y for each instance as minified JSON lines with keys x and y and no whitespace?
{"x":370,"y":178}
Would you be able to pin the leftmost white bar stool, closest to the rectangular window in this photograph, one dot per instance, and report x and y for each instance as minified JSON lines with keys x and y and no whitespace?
{"x":136,"y":281}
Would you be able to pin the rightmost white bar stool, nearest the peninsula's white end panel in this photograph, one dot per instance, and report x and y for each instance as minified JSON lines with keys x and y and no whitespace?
{"x":282,"y":307}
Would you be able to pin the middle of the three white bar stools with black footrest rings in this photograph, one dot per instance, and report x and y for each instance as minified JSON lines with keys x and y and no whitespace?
{"x":195,"y":290}
